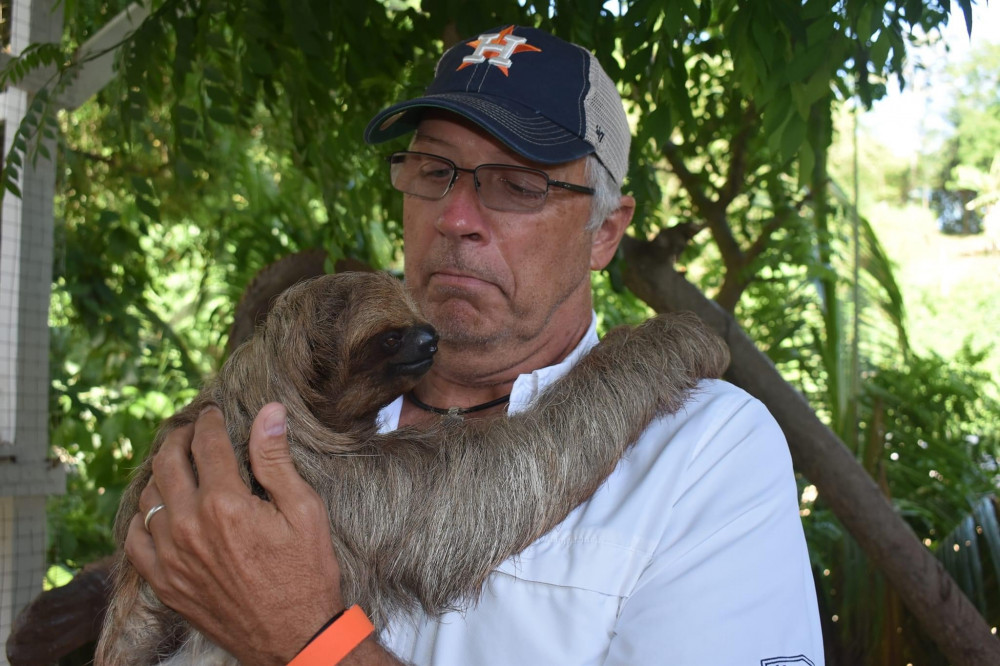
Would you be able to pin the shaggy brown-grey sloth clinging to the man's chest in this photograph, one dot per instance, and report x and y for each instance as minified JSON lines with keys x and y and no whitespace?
{"x":419,"y":516}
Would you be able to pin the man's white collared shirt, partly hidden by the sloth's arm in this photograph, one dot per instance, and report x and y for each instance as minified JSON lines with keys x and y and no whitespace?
{"x":690,"y":554}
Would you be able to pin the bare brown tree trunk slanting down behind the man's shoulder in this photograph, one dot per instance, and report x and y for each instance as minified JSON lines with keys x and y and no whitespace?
{"x":926,"y":589}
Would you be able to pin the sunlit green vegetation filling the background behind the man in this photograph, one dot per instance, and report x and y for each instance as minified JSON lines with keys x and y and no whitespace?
{"x":231,"y":138}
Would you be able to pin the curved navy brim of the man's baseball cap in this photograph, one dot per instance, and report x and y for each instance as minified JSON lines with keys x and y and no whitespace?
{"x":526,"y":132}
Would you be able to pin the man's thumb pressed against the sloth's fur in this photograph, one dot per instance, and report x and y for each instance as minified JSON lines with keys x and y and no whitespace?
{"x":270,"y":458}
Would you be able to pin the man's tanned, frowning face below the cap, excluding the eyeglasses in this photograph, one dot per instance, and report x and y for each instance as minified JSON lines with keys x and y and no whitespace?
{"x":486,"y":277}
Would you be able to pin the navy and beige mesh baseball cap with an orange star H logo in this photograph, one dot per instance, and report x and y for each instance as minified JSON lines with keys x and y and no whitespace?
{"x":545,"y":98}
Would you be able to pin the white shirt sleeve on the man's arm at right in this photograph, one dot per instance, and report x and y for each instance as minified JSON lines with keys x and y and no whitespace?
{"x":730,"y":582}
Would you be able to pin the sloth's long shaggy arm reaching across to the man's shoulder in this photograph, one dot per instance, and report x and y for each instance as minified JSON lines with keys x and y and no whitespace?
{"x":497,"y":485}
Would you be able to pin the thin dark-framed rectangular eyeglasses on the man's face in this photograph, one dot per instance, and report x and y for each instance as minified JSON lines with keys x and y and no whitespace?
{"x":501,"y":187}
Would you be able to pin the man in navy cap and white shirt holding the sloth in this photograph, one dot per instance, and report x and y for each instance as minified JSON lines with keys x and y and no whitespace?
{"x":690,"y":553}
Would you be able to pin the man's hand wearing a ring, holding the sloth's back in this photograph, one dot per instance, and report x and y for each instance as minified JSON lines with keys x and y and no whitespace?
{"x":258,"y":578}
